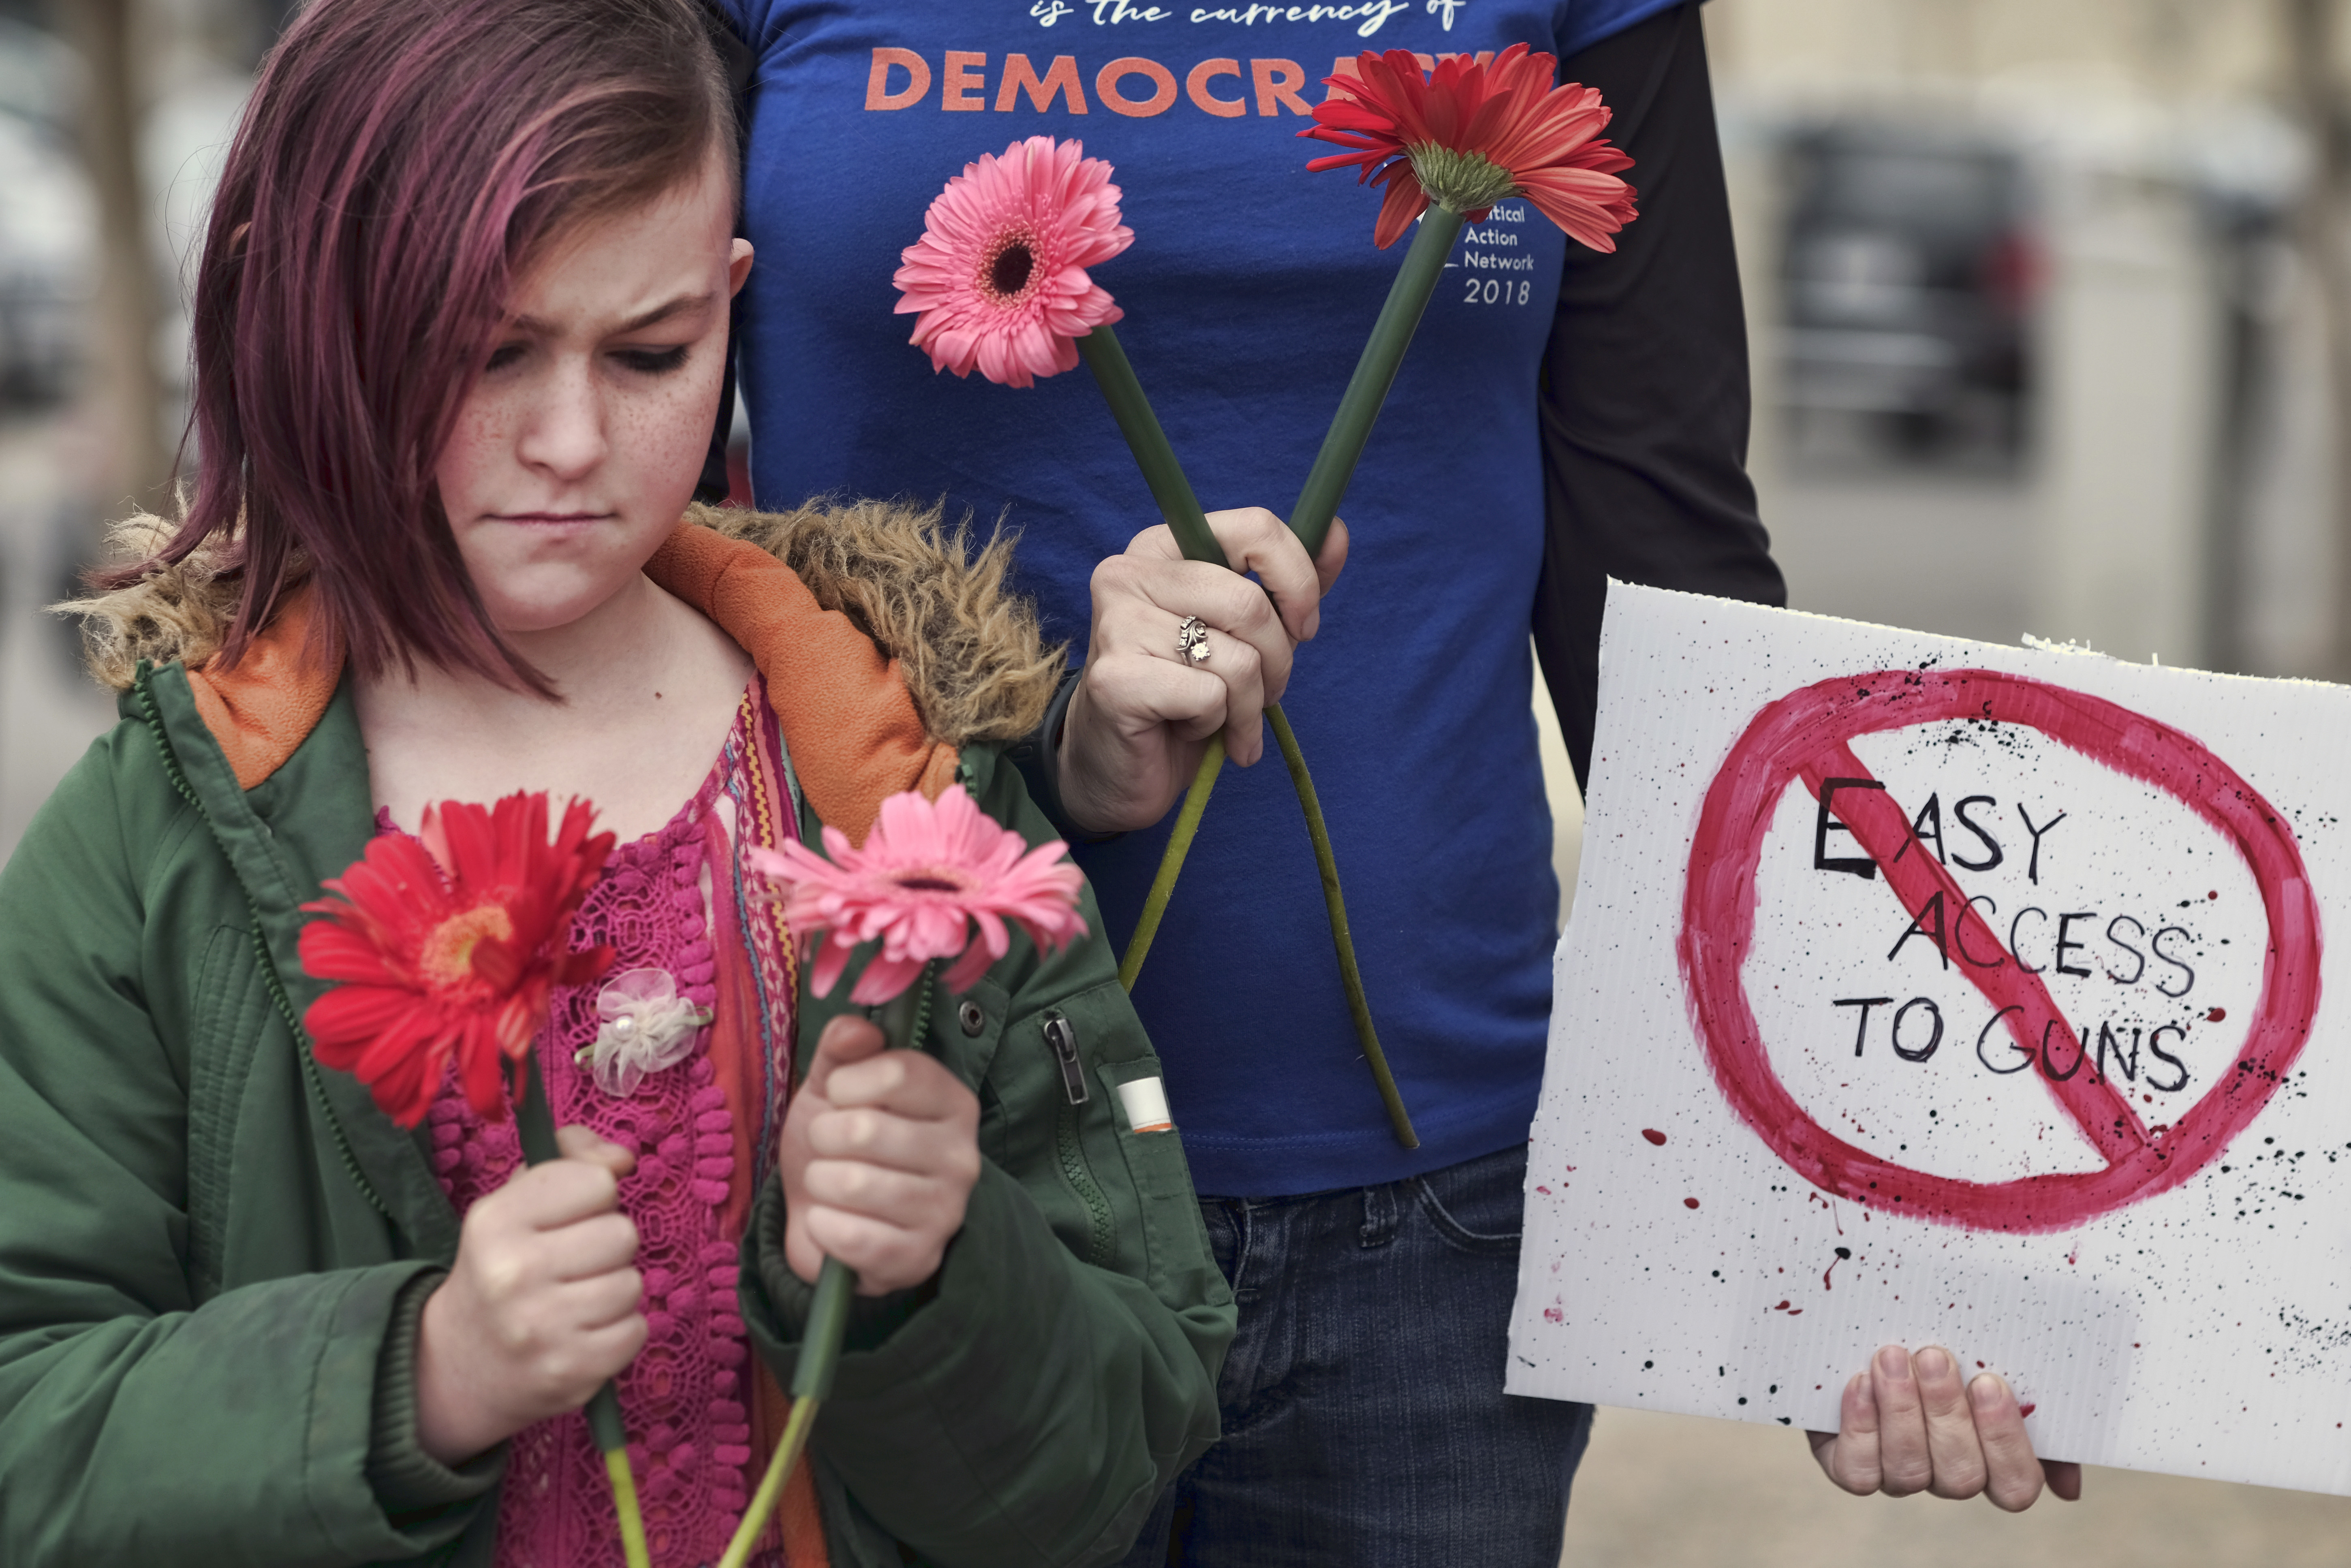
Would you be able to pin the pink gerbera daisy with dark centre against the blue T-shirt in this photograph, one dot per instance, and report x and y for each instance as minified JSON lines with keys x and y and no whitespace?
{"x":1000,"y":272}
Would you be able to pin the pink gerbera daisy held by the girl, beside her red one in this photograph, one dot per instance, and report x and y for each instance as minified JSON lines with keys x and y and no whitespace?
{"x":932,"y":883}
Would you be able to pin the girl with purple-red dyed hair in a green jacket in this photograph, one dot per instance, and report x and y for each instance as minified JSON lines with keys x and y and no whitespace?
{"x":460,"y":340}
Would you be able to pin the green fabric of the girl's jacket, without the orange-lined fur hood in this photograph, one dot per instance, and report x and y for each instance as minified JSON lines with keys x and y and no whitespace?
{"x":213,"y":1252}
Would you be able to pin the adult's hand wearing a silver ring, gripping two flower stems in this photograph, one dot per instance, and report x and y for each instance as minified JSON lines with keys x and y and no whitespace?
{"x":1141,"y":713}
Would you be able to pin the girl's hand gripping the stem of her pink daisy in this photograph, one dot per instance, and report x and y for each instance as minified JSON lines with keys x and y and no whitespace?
{"x":878,"y":1153}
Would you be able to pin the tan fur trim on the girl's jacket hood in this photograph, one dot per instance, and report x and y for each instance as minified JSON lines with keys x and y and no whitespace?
{"x":965,"y":643}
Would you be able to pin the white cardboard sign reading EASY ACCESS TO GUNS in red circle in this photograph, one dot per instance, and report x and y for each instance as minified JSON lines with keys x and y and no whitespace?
{"x":2021,"y":1043}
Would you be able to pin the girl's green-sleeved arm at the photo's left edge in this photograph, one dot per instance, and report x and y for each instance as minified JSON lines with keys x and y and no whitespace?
{"x":145,"y":1416}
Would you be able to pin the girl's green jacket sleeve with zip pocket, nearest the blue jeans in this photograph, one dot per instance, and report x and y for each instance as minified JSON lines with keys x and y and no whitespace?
{"x":1033,"y":1398}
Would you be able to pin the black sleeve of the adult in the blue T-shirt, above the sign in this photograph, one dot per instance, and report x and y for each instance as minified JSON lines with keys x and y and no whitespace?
{"x":1645,"y":384}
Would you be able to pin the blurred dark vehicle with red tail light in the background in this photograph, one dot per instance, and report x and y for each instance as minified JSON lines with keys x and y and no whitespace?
{"x":1908,"y":276}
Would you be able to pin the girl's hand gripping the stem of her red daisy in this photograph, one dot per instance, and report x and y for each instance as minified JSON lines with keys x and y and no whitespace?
{"x":542,"y":1306}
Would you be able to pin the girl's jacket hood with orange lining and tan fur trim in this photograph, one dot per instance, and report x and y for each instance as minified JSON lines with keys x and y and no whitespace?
{"x":888,"y":645}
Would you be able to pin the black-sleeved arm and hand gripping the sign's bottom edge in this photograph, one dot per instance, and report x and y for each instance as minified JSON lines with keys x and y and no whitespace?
{"x":1645,"y":450}
